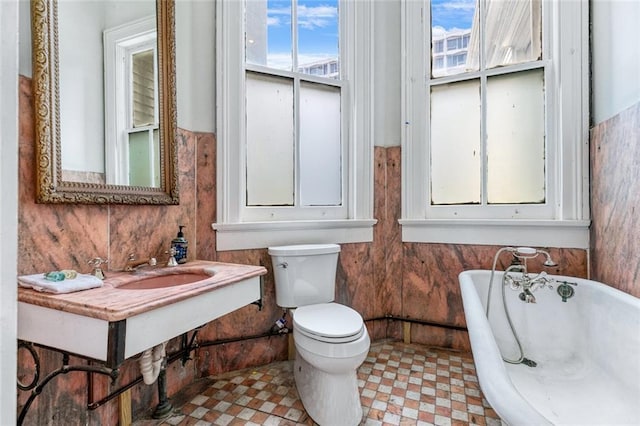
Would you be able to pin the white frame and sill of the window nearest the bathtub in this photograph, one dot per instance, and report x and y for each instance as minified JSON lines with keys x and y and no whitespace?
{"x":564,"y":221}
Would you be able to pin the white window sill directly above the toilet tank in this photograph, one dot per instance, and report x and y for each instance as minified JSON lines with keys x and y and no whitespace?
{"x":254,"y":235}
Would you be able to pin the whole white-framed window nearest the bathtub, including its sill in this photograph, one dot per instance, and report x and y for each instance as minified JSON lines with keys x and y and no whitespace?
{"x":495,"y":142}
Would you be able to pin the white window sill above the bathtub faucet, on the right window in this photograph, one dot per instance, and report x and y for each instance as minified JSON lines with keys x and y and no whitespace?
{"x":545,"y":233}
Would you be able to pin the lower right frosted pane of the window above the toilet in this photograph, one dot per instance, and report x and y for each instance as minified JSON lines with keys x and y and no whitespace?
{"x":320,"y":146}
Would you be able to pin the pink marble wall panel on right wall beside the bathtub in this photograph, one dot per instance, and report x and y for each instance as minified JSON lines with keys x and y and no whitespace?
{"x":615,"y":201}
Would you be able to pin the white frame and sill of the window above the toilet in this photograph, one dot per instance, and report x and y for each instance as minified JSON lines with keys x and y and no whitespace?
{"x":232,"y":231}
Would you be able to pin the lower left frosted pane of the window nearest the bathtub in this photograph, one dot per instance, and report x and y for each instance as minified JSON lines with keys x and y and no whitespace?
{"x":455,"y":143}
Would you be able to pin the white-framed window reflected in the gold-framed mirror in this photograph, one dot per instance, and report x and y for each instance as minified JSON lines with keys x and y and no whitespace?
{"x":133,"y":149}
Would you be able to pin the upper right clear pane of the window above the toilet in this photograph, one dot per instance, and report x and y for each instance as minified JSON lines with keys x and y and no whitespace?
{"x":318,"y":37}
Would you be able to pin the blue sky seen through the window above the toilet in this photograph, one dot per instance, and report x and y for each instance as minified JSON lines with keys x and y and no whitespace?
{"x":317,"y":29}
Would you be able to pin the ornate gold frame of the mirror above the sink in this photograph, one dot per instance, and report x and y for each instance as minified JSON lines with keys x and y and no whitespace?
{"x":51,"y":188}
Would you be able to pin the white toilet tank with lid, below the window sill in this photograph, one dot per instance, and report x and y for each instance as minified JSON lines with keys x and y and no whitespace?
{"x":304,"y":274}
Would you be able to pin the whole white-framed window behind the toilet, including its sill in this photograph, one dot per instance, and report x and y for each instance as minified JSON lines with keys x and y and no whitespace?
{"x":294,"y":120}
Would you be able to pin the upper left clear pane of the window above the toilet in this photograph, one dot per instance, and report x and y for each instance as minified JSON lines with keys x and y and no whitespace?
{"x":268,"y":33}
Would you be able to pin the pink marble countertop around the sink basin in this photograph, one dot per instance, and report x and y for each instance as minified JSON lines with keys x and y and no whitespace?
{"x":113,"y":304}
